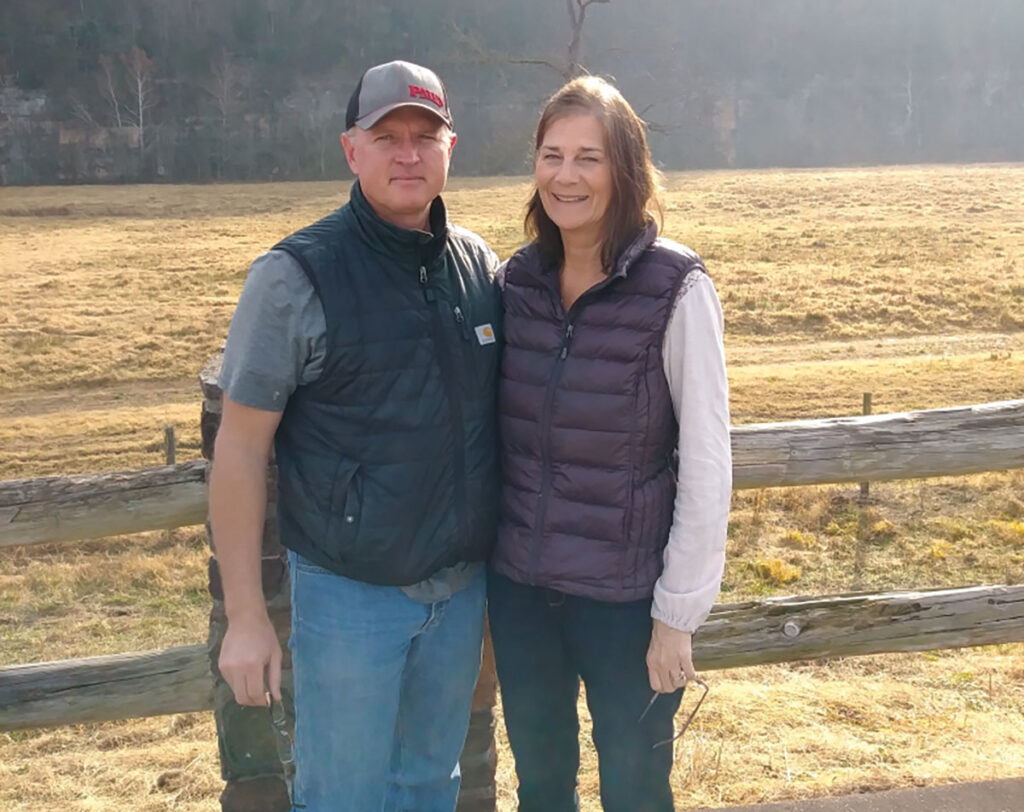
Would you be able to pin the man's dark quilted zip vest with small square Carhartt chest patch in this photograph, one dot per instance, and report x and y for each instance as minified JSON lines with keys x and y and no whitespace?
{"x":388,"y":465}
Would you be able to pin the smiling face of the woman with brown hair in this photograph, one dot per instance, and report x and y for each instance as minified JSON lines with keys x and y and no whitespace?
{"x":574,"y":177}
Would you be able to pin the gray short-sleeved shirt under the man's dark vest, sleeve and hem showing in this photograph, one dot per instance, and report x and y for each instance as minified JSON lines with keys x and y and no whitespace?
{"x":278,"y":341}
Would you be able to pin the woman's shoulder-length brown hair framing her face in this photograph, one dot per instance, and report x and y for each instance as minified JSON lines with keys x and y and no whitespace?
{"x":634,"y":179}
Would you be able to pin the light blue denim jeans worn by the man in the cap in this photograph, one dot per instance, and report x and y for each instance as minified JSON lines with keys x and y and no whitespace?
{"x":383,"y":690}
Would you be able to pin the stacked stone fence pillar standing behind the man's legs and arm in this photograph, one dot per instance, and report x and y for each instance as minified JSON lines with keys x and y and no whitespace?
{"x":249,"y":762}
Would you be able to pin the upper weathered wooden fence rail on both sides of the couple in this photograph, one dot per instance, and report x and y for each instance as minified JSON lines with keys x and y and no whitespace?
{"x":933,"y":443}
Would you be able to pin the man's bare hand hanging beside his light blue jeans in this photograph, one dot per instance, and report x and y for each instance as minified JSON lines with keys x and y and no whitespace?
{"x":250,"y":659}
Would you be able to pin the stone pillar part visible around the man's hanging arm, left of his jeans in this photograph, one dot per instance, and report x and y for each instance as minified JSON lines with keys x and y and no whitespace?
{"x":249,"y":762}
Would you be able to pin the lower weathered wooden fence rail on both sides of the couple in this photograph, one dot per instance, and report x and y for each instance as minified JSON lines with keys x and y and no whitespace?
{"x":778,"y":630}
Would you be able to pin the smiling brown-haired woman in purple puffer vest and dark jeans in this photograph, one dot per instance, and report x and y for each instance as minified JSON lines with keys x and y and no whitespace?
{"x":608,"y":560}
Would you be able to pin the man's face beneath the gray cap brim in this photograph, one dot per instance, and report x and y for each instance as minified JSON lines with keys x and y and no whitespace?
{"x":402,"y":163}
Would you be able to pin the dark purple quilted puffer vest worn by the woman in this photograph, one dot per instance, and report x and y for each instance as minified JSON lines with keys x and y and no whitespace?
{"x":587,"y":428}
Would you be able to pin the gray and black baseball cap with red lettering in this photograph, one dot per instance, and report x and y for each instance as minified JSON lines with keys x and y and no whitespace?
{"x":397,"y":84}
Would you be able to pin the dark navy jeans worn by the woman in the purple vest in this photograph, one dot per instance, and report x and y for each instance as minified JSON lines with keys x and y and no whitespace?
{"x":544,"y":643}
